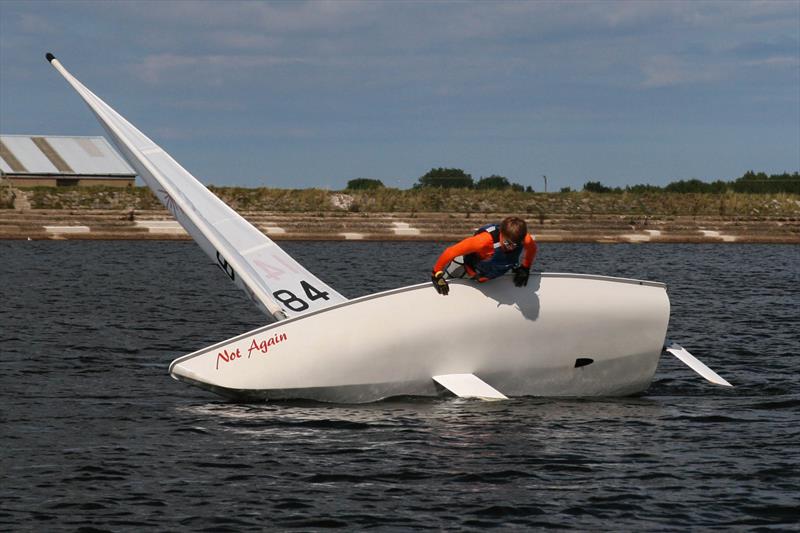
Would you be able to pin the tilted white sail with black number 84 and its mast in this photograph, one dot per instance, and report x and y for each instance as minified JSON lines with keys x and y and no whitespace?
{"x":278,"y":284}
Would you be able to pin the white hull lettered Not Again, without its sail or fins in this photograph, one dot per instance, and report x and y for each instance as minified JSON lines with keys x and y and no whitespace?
{"x":562,"y":335}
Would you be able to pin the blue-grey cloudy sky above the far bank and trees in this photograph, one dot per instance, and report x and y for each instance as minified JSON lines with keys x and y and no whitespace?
{"x":313,"y":94}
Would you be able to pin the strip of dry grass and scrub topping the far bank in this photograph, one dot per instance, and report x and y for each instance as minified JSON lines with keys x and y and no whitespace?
{"x":531,"y":205}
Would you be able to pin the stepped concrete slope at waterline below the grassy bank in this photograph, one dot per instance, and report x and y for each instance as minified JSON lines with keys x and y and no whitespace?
{"x":26,"y":223}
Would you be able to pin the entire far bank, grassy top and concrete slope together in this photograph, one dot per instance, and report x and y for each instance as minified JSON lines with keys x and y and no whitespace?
{"x":420,"y":213}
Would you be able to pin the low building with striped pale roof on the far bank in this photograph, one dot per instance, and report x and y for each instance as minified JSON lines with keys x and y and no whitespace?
{"x":62,"y":161}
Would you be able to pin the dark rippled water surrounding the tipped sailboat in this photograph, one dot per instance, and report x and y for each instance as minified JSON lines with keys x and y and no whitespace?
{"x":97,"y":436}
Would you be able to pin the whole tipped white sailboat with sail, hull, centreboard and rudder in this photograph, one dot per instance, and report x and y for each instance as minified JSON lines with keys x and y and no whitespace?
{"x":563,"y":335}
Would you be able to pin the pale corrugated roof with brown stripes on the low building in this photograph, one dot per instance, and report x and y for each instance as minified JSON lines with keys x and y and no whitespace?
{"x":61,"y":155}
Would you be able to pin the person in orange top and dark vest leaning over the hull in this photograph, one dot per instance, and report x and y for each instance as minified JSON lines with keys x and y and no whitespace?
{"x":492,"y":251}
